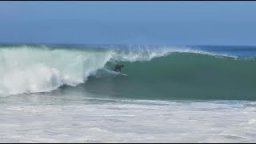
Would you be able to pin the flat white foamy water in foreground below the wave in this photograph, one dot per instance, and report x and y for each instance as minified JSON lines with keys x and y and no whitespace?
{"x":129,"y":121}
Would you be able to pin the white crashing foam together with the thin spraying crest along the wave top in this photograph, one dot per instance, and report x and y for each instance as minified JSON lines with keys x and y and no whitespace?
{"x":30,"y":69}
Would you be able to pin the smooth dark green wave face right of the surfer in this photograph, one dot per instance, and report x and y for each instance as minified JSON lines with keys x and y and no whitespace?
{"x":181,"y":76}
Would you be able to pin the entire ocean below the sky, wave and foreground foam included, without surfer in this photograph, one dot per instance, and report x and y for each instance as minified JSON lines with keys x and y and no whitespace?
{"x":70,"y":93}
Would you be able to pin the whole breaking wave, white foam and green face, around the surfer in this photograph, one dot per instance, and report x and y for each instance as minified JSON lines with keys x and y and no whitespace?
{"x":153,"y":73}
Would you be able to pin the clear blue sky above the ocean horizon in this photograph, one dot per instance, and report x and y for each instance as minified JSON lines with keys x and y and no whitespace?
{"x":174,"y":23}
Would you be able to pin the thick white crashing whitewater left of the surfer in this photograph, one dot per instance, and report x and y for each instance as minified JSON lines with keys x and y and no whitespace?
{"x":26,"y":69}
